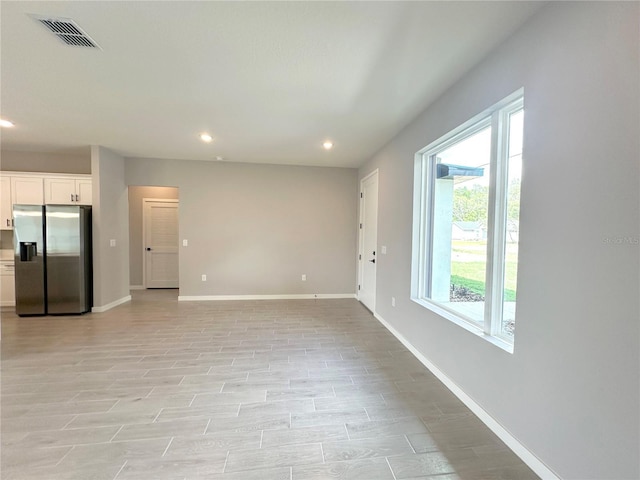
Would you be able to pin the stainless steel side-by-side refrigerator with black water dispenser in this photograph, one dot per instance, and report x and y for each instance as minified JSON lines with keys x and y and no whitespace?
{"x":53,"y":261}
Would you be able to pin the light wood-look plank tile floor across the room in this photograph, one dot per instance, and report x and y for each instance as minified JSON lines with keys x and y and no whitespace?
{"x":269,"y":390}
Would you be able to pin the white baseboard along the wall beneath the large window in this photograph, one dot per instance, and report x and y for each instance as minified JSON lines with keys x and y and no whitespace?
{"x":513,"y":443}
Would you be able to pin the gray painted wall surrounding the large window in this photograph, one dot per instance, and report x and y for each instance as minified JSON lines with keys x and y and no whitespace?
{"x":570,"y":391}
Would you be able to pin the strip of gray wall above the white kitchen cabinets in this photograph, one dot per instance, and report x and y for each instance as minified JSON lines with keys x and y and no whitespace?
{"x":44,"y":162}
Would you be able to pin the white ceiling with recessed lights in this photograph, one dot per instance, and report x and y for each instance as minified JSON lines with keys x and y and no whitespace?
{"x":270,"y":81}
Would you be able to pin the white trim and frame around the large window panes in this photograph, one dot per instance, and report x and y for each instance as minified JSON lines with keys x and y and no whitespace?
{"x":424,"y":171}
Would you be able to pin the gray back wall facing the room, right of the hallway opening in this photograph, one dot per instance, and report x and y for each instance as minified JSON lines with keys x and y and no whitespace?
{"x":255,"y":229}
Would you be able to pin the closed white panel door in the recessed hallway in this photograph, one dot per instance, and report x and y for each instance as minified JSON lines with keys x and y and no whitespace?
{"x":160,"y":243}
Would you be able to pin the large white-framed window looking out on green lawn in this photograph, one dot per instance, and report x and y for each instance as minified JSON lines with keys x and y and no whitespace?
{"x":466,"y":222}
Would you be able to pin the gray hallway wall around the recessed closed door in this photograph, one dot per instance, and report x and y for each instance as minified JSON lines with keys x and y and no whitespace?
{"x":136,"y":194}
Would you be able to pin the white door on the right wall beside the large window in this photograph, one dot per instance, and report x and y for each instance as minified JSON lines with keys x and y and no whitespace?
{"x":368,"y":254}
